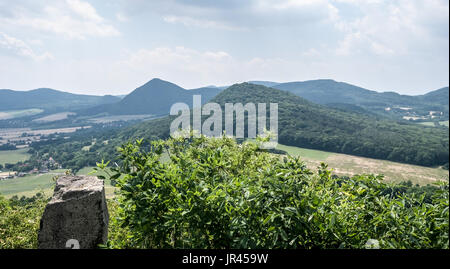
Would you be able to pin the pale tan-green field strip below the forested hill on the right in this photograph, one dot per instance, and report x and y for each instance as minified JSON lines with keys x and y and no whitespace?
{"x":348,"y":165}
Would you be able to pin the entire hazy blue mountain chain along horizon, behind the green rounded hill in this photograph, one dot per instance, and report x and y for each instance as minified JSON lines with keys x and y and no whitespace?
{"x":157,"y":96}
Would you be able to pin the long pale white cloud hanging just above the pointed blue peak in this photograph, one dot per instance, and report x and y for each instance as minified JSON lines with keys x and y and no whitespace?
{"x":194,"y":68}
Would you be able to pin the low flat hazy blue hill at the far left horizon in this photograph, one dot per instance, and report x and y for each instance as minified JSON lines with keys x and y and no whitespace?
{"x":50,"y":100}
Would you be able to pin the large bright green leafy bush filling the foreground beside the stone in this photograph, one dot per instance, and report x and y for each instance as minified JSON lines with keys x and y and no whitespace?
{"x":215,"y":193}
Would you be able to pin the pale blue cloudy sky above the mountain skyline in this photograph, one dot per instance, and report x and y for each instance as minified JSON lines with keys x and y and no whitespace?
{"x":114,"y":46}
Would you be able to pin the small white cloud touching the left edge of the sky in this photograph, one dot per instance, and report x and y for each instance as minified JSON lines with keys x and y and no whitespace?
{"x":20,"y":48}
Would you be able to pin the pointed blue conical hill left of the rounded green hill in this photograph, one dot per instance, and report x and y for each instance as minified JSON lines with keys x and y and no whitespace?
{"x":155,"y":97}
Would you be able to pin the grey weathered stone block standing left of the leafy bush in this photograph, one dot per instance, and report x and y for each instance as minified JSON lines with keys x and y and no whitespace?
{"x":77,"y":213}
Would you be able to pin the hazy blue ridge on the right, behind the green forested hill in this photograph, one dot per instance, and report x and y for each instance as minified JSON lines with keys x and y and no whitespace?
{"x":347,"y":96}
